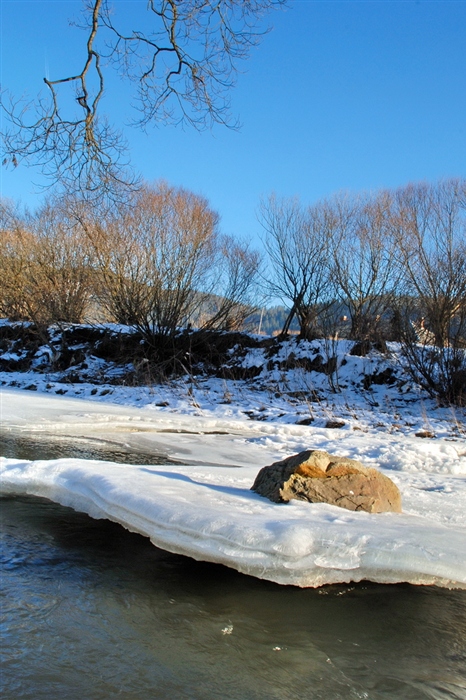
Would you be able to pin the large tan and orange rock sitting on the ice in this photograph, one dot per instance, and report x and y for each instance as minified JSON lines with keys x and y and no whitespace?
{"x":318,"y":477}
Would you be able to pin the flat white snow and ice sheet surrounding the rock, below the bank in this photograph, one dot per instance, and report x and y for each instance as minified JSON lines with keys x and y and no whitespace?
{"x":206,"y":510}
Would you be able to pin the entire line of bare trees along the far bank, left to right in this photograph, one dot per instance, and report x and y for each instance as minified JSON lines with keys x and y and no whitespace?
{"x":372,"y":267}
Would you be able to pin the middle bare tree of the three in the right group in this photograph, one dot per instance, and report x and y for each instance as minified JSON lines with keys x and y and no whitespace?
{"x":363,"y":261}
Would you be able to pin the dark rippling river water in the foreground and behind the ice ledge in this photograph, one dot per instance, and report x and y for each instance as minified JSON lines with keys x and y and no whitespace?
{"x":93,"y":612}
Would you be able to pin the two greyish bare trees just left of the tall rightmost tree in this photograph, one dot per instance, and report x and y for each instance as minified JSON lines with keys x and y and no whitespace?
{"x":333,"y":257}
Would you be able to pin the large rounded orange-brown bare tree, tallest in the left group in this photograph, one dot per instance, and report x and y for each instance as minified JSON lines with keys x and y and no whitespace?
{"x":152,"y":258}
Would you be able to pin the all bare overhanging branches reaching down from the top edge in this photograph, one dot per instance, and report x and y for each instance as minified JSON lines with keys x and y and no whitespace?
{"x":182,"y":62}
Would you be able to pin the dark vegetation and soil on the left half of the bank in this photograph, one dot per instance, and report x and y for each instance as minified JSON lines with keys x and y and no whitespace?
{"x":27,"y":346}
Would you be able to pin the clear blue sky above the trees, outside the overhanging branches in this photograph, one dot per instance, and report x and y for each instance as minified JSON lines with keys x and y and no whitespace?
{"x":340,"y":95}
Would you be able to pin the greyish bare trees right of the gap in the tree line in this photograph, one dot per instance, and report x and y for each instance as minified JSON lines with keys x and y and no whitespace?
{"x":393,"y":261}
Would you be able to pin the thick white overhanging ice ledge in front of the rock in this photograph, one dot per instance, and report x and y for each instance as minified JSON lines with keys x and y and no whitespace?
{"x":211,"y":515}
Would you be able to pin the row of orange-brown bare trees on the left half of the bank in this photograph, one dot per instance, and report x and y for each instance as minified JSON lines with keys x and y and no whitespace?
{"x":156,"y":261}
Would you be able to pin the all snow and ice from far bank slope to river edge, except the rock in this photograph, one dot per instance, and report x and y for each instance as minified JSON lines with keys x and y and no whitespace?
{"x":222,"y":432}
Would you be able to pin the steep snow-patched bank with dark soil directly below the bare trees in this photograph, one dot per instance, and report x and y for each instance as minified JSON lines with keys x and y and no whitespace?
{"x":241,"y":376}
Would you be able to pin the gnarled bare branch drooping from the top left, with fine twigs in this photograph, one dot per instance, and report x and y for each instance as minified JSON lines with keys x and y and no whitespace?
{"x":63,"y":134}
